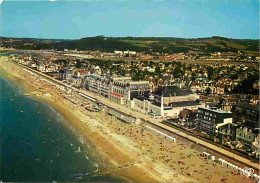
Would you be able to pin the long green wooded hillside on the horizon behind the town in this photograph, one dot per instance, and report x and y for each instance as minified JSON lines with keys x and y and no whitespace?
{"x":141,"y":44}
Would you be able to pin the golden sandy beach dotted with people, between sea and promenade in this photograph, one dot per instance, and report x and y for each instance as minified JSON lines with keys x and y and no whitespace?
{"x":134,"y":152}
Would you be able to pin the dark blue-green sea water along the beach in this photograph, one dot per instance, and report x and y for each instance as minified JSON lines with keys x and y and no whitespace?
{"x":37,"y":146}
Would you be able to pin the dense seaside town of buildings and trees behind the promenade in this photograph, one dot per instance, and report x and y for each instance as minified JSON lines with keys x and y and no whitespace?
{"x":213,"y":96}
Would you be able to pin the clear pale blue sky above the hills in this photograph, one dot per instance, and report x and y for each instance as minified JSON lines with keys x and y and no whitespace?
{"x":64,"y":19}
